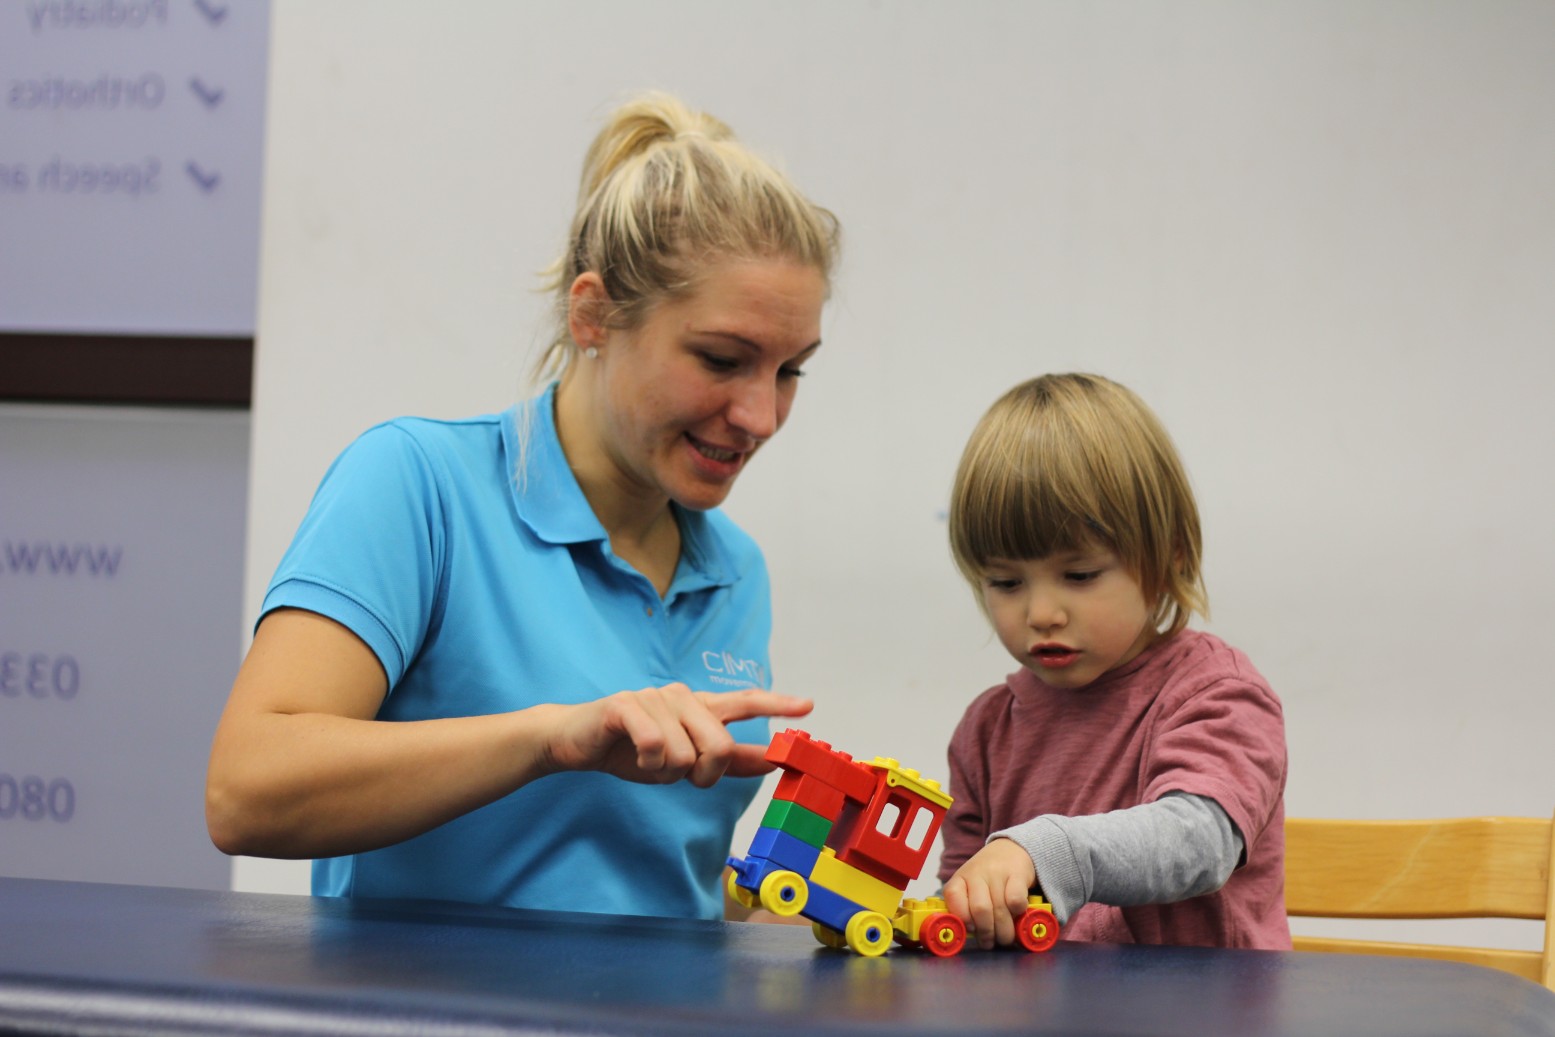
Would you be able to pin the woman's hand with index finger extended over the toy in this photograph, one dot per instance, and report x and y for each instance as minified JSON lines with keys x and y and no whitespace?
{"x":665,"y":735}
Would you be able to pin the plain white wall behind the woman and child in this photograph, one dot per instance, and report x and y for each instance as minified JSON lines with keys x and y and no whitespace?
{"x":1318,"y":237}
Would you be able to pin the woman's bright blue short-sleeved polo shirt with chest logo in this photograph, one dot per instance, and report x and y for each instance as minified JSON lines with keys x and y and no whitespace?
{"x":486,"y":588}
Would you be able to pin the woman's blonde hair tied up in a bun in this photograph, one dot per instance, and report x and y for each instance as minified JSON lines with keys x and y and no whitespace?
{"x":665,"y":190}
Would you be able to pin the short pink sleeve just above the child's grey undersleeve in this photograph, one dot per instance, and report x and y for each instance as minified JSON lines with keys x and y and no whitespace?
{"x":1225,"y":742}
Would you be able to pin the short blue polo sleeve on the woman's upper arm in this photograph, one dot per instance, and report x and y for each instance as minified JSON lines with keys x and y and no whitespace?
{"x":371,"y":551}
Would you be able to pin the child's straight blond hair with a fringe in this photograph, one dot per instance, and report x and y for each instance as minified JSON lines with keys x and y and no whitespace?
{"x":1066,"y":463}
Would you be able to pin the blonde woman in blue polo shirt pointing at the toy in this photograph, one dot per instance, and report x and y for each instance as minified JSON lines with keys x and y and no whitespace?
{"x":466,"y":601}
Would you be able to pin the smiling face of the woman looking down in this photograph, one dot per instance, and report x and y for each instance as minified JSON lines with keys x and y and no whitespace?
{"x":693,"y":393}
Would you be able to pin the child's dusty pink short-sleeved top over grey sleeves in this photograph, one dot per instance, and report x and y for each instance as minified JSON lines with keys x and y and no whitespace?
{"x":1190,"y":714}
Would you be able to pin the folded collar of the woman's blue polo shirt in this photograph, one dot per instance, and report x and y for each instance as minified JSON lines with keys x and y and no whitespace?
{"x":551,"y":503}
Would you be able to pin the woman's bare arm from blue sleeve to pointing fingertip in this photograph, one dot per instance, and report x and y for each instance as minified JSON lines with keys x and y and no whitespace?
{"x":301,"y":767}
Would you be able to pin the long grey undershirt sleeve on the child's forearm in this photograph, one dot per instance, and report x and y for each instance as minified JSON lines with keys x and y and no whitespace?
{"x":1176,"y":848}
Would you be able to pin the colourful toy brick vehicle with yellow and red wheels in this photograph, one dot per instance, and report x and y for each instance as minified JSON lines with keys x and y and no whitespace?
{"x":839,"y":845}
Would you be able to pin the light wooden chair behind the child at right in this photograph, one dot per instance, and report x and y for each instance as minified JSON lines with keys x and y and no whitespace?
{"x":1467,"y":868}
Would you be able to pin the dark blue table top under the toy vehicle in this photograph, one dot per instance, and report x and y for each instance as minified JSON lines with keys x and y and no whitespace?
{"x":138,"y":960}
